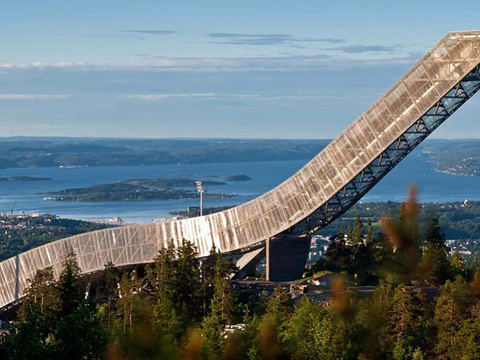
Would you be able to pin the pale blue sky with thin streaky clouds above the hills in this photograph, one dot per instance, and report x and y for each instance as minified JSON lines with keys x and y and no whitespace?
{"x":250,"y":69}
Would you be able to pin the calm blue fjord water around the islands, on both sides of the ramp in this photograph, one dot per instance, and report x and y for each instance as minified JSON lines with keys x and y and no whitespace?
{"x":24,"y":196}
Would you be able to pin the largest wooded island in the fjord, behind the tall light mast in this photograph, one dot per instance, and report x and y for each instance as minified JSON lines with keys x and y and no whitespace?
{"x":137,"y":190}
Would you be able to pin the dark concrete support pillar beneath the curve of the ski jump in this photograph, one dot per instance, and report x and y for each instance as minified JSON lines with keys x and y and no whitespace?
{"x":286,"y":257}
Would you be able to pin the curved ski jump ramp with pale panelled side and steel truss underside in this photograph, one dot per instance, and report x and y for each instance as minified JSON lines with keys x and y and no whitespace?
{"x":430,"y":89}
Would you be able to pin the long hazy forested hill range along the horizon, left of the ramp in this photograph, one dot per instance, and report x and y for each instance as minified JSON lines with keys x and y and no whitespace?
{"x":55,"y":152}
